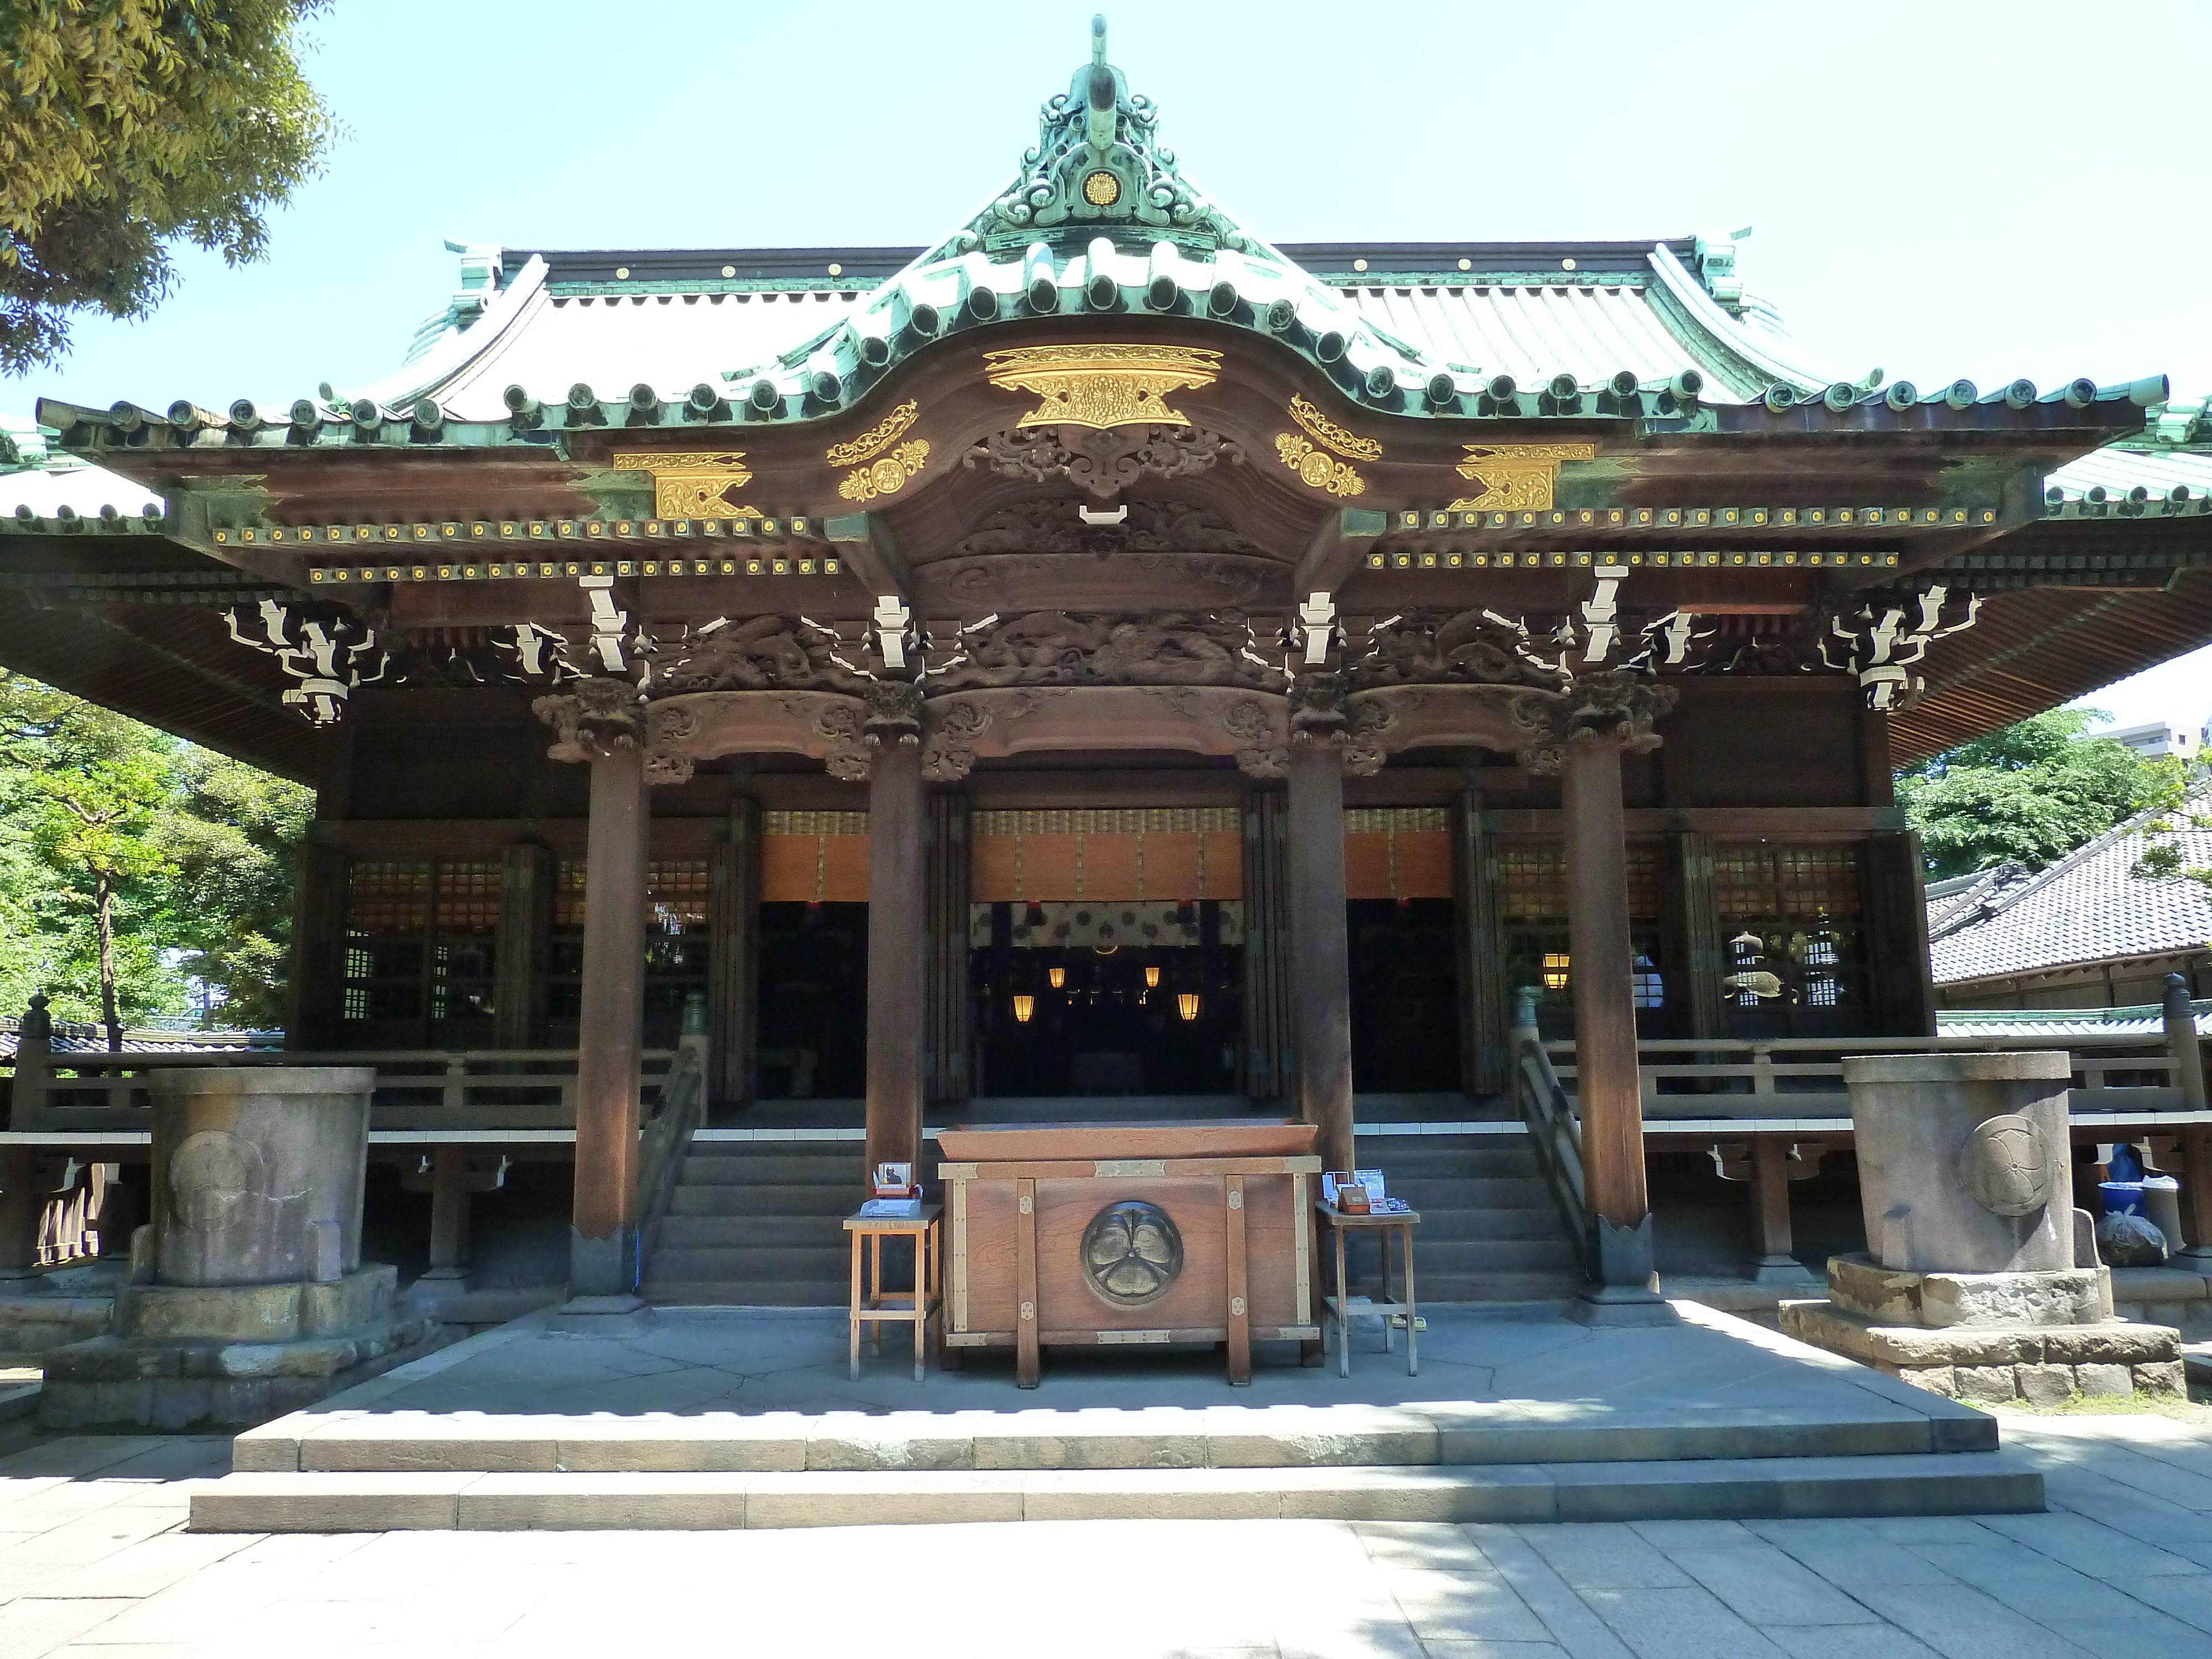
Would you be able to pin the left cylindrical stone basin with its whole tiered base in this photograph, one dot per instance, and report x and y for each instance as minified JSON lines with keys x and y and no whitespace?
{"x":247,"y":1295}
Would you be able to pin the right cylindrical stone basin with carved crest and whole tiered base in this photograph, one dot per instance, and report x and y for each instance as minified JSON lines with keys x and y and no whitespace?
{"x":1972,"y":1284}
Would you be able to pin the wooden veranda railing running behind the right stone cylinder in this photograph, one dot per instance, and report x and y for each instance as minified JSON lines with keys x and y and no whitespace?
{"x":1804,"y":1076}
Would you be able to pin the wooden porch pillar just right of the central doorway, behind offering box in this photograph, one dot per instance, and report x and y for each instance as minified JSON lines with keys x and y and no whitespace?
{"x":1322,"y":977}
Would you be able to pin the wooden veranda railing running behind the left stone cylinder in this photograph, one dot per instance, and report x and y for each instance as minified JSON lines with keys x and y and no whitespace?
{"x":417,"y":1089}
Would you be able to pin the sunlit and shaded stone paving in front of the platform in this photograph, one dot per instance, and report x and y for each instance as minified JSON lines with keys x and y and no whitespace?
{"x":94,"y":1563}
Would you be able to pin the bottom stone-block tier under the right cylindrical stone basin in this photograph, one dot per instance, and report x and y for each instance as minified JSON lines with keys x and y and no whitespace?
{"x":2036,"y":1364}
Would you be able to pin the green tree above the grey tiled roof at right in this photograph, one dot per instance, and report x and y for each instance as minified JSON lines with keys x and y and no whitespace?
{"x":2032,"y":793}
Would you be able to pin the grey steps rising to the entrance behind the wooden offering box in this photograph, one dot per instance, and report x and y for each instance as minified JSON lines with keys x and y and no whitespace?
{"x":758,"y":1224}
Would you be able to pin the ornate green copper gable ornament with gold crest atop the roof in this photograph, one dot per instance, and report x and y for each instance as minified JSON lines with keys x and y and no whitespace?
{"x":1098,"y":163}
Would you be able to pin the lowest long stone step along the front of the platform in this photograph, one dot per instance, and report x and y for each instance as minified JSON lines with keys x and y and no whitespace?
{"x":1968,"y":1483}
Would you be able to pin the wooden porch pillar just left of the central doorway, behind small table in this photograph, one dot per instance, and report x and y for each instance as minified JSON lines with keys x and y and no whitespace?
{"x":897,"y":985}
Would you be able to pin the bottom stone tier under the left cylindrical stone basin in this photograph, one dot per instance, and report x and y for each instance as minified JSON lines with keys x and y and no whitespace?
{"x":209,"y":1384}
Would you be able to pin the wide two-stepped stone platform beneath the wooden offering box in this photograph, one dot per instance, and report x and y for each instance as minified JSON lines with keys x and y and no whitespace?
{"x":747,"y":1419}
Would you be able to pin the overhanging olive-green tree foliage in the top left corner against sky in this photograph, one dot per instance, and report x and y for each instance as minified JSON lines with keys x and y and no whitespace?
{"x":127,"y":125}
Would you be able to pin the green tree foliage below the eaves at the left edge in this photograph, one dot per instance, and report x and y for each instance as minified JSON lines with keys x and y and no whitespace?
{"x":134,"y":864}
